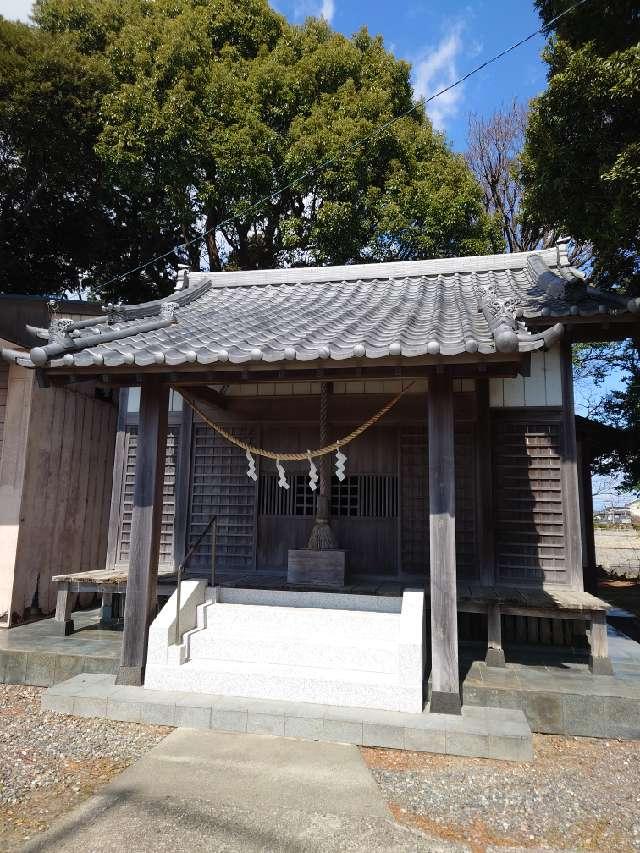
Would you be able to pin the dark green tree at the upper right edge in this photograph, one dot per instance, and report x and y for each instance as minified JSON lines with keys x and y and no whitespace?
{"x":582,"y":152}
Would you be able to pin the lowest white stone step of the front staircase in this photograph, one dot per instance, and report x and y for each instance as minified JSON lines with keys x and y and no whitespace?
{"x":331,"y":686}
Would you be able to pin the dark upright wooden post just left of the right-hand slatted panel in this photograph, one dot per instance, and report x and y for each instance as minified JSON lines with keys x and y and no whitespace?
{"x":485,"y":531}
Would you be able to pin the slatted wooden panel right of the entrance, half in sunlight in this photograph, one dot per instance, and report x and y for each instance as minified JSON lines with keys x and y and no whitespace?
{"x":530,"y":525}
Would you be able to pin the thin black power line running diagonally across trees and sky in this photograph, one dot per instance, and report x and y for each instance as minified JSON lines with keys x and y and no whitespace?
{"x":543,"y":30}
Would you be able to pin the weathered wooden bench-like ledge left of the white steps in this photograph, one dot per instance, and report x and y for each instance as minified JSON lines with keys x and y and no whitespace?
{"x":108,"y":582}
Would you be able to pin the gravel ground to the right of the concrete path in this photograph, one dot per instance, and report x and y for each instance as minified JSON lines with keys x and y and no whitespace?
{"x":577,"y":794}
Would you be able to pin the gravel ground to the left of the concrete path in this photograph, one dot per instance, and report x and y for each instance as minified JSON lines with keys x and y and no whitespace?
{"x":49,"y":763}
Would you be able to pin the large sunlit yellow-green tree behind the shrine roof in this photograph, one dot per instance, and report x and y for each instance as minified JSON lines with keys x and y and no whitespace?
{"x":210,"y":110}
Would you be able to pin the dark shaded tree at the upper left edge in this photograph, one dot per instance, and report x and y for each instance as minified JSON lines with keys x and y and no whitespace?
{"x":61,"y":222}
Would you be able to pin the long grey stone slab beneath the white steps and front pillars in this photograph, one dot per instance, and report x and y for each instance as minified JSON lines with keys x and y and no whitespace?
{"x":478,"y":732}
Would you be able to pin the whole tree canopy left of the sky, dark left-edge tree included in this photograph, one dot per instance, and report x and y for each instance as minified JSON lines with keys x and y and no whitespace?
{"x":180,"y":115}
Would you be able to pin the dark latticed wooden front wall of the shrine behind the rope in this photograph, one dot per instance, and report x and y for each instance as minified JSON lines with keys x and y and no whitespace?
{"x":381,"y":511}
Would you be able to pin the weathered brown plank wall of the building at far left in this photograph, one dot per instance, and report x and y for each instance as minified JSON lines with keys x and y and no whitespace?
{"x":66,"y":492}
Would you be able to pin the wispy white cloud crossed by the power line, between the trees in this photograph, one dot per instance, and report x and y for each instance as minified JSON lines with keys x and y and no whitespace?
{"x":436,"y":70}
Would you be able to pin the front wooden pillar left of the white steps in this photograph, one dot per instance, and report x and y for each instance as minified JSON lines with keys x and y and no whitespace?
{"x":144,"y":548}
